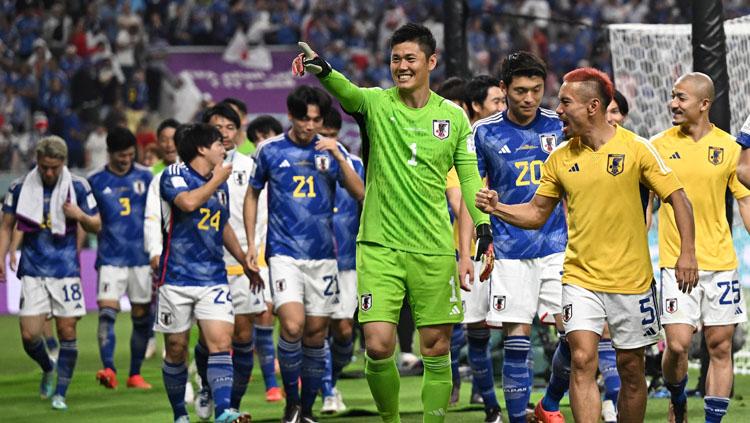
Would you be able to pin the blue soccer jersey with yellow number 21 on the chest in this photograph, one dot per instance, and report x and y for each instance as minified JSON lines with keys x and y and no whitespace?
{"x":301,"y":192}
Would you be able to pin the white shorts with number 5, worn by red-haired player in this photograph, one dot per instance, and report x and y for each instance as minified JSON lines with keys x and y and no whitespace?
{"x":633,"y":319}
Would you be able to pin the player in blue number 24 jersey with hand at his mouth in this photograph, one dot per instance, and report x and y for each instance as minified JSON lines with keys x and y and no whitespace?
{"x":193,"y":278}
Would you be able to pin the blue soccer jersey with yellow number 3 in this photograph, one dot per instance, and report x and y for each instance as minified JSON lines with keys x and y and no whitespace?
{"x":122,"y":204}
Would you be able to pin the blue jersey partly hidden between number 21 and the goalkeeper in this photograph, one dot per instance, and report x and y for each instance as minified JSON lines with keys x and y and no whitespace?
{"x":346,"y":222}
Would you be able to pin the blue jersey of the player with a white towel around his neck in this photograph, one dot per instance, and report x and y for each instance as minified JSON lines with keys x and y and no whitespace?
{"x":43,"y":254}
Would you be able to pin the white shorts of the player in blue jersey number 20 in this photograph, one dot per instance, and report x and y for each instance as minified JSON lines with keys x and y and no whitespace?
{"x":522,"y":289}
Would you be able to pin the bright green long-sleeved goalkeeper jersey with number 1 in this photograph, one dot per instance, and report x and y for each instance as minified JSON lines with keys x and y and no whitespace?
{"x":410,"y":154}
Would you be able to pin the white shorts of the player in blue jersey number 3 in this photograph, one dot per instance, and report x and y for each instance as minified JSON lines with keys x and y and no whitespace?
{"x":115,"y":281}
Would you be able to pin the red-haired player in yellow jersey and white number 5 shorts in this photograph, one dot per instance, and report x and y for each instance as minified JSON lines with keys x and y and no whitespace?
{"x":607,"y":274}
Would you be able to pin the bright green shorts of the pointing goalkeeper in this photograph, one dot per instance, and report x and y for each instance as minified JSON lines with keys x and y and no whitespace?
{"x":430,"y":282}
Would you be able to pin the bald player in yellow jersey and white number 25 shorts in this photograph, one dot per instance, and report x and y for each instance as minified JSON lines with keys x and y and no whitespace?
{"x":705,"y":159}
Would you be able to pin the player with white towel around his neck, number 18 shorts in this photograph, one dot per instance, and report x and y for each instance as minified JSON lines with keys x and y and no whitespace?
{"x":48,"y":203}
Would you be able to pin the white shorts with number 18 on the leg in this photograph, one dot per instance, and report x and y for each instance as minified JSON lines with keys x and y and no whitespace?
{"x":60,"y":297}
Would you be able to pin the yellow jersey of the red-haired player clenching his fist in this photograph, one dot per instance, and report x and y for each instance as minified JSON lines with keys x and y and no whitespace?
{"x":607,"y":243}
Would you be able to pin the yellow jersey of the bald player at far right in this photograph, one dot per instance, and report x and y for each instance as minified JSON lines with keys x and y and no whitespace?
{"x":706,"y":168}
